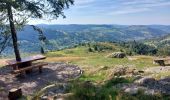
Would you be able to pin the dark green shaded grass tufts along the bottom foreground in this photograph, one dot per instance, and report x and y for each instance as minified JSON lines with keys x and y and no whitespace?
{"x":107,"y":91}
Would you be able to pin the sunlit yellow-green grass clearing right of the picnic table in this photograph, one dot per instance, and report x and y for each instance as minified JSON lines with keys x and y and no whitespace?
{"x":93,"y":62}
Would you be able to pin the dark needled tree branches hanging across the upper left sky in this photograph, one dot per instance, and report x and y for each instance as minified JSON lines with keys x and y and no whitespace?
{"x":37,"y":8}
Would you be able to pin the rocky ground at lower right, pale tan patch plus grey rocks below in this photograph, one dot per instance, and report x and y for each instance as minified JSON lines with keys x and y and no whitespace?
{"x":145,"y":81}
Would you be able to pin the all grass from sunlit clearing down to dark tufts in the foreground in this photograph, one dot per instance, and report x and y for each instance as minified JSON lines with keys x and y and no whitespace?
{"x":98,"y":70}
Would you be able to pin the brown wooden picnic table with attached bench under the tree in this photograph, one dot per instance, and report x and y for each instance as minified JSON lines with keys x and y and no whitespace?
{"x":26,"y":64}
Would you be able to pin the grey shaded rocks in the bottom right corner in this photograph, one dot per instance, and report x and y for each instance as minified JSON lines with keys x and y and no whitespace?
{"x":148,"y":85}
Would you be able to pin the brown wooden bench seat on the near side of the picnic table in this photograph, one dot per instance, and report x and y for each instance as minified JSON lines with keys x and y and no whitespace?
{"x":28,"y":68}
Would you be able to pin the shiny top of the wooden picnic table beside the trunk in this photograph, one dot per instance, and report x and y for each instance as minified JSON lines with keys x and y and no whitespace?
{"x":27,"y":59}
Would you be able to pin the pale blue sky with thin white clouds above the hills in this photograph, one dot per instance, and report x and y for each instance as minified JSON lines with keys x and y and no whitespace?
{"x":124,"y":12}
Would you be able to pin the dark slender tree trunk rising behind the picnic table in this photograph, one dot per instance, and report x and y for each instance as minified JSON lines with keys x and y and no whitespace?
{"x":13,"y":33}
